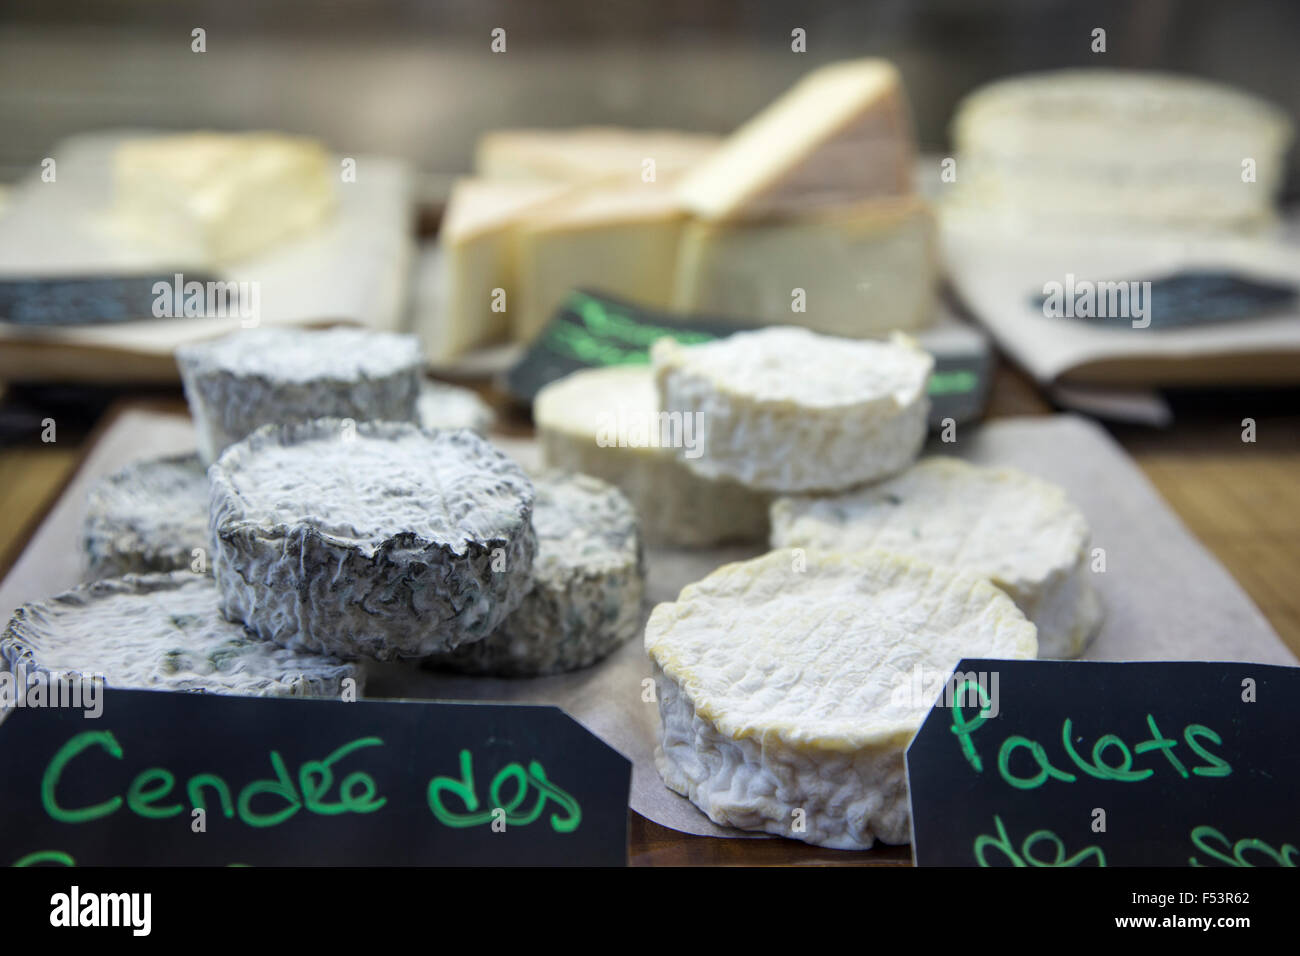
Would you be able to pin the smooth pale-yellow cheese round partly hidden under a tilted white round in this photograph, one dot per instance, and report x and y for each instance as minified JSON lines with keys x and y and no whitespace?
{"x":606,"y":422}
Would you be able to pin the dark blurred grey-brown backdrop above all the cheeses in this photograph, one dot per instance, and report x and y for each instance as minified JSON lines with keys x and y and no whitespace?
{"x":418,"y":80}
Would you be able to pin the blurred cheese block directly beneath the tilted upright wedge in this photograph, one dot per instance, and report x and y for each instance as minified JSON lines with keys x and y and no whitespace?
{"x":857,"y":271}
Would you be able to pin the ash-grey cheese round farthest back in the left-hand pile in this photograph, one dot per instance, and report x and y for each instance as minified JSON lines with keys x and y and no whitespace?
{"x":279,"y":377}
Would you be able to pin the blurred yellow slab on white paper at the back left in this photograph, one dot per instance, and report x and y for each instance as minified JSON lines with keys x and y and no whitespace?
{"x":222,"y":197}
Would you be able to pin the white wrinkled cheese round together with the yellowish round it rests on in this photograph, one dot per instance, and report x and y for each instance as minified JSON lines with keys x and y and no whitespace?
{"x":703,"y":439}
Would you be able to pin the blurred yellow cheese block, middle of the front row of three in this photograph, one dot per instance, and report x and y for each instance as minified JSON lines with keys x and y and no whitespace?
{"x":617,"y":239}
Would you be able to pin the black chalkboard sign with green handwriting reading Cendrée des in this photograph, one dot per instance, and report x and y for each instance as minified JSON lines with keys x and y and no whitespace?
{"x":198,"y":780}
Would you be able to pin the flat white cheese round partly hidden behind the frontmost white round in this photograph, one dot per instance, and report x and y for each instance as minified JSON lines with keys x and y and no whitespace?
{"x":1021,"y":533}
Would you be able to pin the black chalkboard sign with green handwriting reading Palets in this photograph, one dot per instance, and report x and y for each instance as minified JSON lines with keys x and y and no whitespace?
{"x":1084,"y":764}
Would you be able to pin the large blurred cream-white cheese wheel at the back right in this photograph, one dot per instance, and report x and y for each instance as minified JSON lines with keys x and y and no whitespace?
{"x":1100,"y":152}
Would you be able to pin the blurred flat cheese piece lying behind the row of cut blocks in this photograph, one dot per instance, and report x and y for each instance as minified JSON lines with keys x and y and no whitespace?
{"x":590,"y":154}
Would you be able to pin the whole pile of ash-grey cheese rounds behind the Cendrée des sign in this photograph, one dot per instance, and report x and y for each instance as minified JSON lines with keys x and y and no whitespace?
{"x":340,"y":538}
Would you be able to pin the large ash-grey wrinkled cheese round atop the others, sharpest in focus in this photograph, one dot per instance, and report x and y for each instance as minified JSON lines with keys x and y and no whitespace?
{"x":408,"y":592}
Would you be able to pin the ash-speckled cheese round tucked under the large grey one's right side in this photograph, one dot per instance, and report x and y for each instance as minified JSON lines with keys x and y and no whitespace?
{"x":588,"y":585}
